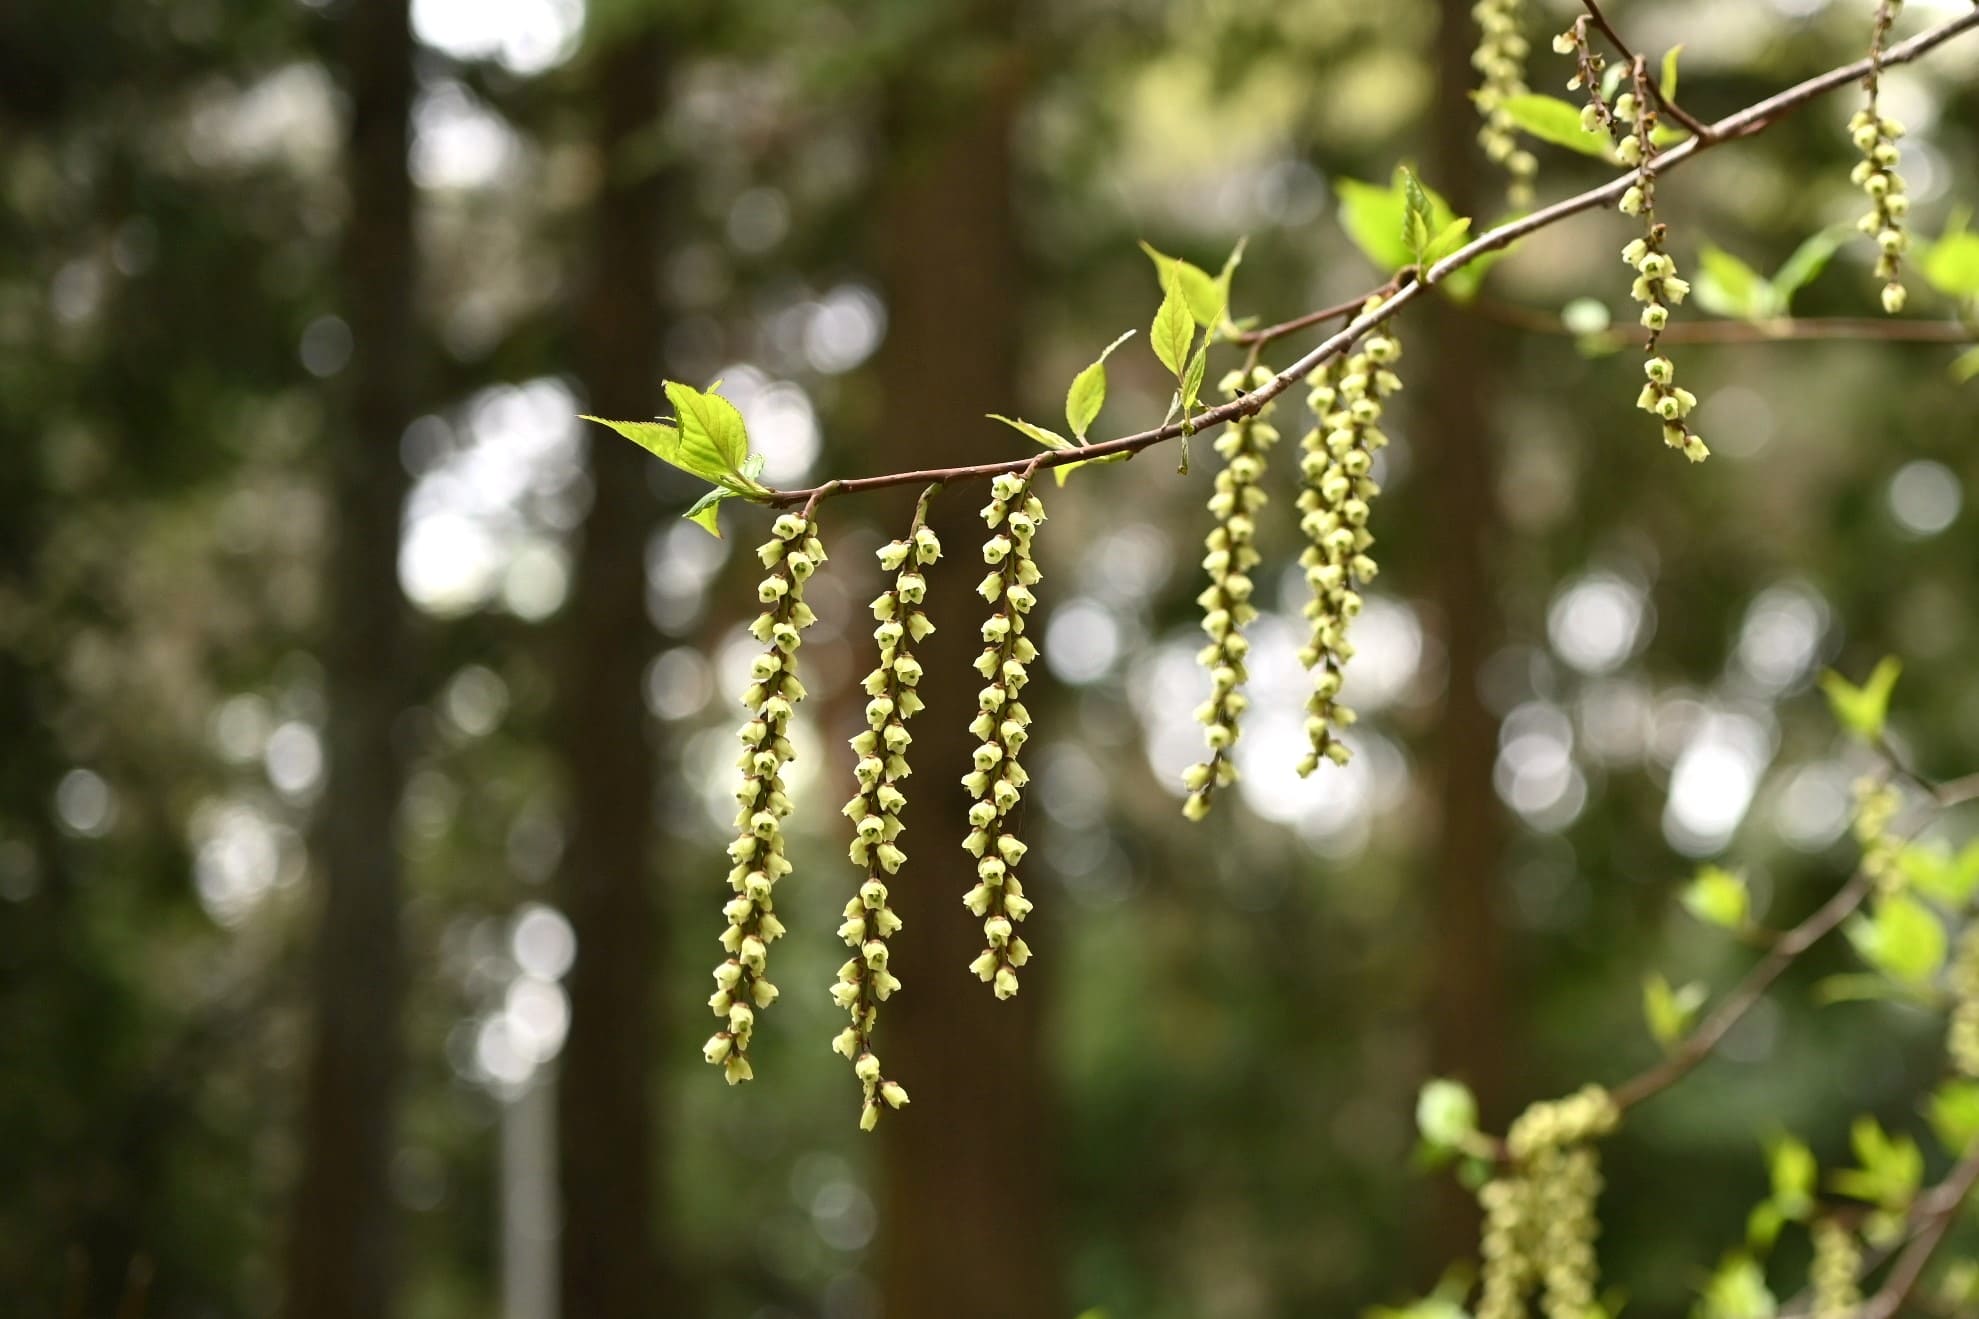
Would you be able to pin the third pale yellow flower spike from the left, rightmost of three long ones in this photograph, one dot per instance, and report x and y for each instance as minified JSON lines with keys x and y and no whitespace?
{"x":1002,"y":726}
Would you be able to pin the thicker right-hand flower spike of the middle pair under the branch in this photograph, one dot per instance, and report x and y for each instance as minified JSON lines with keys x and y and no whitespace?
{"x":1339,"y":488}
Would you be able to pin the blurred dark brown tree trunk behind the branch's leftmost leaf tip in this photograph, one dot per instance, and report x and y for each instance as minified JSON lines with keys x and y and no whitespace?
{"x":609,"y":1120}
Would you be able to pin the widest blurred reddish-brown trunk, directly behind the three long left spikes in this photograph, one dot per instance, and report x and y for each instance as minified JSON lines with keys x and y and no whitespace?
{"x":967,"y":1169}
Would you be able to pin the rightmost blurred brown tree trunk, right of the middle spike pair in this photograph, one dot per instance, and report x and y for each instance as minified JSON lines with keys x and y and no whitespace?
{"x":1469,"y":1037}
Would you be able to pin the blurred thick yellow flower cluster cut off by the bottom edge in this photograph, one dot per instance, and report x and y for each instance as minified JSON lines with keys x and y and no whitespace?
{"x":1541,"y":1215}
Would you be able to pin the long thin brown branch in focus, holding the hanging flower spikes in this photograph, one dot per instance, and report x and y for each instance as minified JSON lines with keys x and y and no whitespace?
{"x":1748,"y":122}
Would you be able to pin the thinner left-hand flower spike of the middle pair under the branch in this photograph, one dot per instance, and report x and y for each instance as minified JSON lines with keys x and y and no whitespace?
{"x":1228,"y":559}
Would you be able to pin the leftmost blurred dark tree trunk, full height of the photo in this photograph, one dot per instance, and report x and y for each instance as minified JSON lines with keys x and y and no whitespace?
{"x":345,"y":1225}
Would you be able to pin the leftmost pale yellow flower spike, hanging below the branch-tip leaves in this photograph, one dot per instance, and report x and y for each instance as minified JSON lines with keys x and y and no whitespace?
{"x":741,"y":983}
